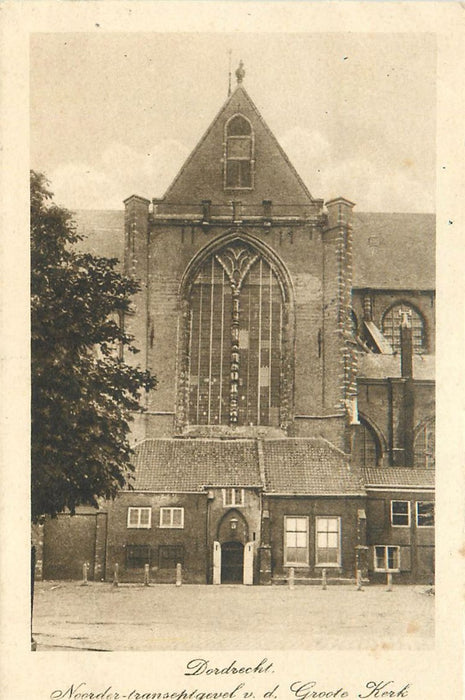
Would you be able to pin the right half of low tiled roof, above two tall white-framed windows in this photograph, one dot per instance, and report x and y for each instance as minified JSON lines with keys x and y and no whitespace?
{"x":308,"y":466}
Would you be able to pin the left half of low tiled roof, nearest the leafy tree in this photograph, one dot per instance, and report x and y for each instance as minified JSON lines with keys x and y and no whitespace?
{"x":188,"y":465}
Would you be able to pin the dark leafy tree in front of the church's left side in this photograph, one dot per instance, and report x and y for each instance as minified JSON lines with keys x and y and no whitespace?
{"x":83,"y":393}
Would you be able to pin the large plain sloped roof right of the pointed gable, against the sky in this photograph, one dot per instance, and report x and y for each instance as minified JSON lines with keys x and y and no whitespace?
{"x":394,"y":251}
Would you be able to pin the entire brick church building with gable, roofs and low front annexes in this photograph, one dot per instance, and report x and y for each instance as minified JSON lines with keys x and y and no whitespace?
{"x":293,"y":340}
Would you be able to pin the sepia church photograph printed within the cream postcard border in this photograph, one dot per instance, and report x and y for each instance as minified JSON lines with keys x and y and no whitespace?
{"x":233,"y":314}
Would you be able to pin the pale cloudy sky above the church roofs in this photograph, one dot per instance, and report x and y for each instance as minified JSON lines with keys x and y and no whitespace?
{"x":117,"y":114}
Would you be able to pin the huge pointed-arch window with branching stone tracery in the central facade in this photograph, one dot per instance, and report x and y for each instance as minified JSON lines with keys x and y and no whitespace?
{"x":235,"y":340}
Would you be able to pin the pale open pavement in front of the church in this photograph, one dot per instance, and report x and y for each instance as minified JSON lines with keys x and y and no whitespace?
{"x":101,"y":617}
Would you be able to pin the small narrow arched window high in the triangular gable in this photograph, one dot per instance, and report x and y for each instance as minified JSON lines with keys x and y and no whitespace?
{"x":238,"y":172}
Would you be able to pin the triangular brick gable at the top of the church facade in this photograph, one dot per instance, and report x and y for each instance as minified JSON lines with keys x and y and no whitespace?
{"x":204,"y":174}
